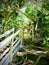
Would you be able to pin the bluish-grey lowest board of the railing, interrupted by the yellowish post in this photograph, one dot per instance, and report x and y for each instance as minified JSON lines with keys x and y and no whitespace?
{"x":6,"y":59}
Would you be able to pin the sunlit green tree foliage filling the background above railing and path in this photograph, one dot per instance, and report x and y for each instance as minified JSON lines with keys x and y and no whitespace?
{"x":10,"y":16}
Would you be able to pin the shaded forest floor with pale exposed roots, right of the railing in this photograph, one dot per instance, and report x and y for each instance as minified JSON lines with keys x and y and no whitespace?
{"x":31,"y":54}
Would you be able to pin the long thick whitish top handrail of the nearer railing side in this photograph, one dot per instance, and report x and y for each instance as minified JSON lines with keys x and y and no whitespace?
{"x":5,"y":42}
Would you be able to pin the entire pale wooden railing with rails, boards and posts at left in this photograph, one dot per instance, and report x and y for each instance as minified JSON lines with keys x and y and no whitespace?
{"x":9,"y":46}
